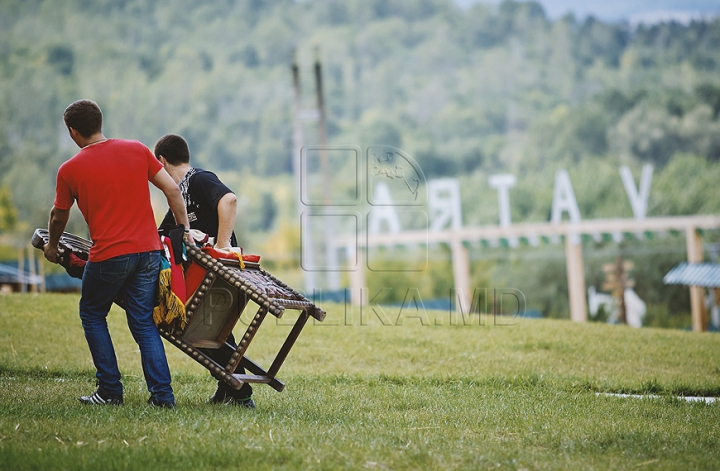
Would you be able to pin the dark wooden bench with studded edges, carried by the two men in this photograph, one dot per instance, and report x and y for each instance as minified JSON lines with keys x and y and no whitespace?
{"x":214,"y":308}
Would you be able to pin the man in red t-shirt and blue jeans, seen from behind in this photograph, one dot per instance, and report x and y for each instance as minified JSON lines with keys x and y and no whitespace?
{"x":109,"y":180}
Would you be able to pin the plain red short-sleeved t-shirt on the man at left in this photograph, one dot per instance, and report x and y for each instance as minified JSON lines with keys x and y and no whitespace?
{"x":109,"y":180}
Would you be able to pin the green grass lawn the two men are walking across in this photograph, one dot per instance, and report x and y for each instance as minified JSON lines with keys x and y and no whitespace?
{"x":518,"y":396}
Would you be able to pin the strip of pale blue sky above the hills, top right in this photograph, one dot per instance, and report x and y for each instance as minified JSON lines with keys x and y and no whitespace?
{"x":633,"y":11}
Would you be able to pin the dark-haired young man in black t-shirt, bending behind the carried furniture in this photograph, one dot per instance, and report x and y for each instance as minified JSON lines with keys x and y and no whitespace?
{"x":211,"y":208}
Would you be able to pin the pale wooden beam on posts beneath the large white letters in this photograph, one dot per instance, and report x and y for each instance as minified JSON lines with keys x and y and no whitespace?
{"x":572,"y":234}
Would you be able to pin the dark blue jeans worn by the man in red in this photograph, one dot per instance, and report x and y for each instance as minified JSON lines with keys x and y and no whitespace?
{"x":133,"y":277}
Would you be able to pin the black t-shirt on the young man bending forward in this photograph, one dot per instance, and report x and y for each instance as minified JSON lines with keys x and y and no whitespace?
{"x":203,"y":194}
